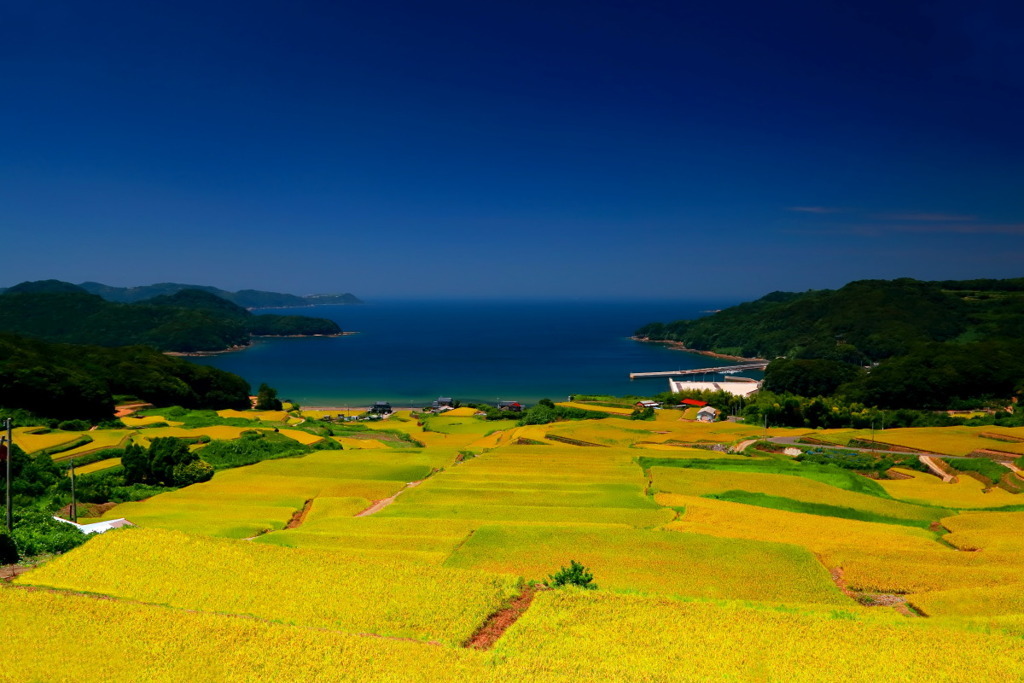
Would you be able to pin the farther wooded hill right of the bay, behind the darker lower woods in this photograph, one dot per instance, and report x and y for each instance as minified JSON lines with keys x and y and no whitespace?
{"x":864,"y":322}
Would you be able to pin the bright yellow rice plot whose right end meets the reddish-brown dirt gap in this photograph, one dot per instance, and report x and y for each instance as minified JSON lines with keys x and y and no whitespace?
{"x":215,"y":576}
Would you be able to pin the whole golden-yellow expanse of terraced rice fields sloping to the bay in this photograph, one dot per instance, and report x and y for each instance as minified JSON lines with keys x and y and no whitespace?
{"x":691,"y":588}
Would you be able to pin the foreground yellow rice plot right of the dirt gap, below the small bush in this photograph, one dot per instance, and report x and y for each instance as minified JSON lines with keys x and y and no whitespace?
{"x":604,"y":636}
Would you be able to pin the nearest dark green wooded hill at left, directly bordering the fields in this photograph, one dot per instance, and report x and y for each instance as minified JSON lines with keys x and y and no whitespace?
{"x":68,"y":381}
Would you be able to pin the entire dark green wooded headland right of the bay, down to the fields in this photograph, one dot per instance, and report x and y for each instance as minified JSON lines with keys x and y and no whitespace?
{"x":901,"y":344}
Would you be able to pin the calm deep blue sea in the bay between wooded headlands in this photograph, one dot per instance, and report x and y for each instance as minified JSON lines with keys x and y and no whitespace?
{"x":409,"y":353}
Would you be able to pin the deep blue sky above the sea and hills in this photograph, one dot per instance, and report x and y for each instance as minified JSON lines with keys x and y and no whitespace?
{"x":492,"y":148}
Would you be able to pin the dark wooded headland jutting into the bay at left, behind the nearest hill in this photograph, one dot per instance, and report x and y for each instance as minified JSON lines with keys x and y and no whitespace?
{"x":188,"y":321}
